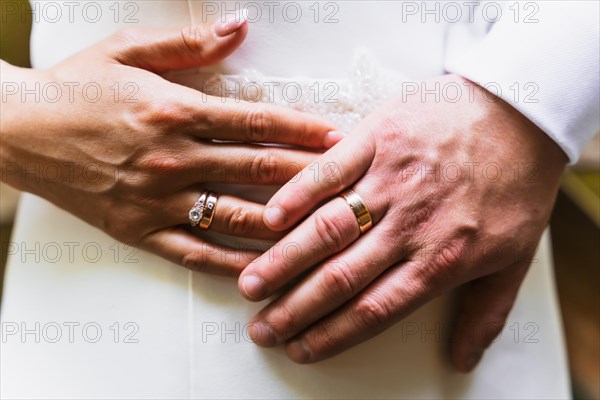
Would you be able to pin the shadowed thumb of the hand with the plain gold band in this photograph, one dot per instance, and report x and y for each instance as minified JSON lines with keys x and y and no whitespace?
{"x":485,"y":306}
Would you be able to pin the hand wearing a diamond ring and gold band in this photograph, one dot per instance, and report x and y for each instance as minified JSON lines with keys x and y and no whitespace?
{"x":128,"y":151}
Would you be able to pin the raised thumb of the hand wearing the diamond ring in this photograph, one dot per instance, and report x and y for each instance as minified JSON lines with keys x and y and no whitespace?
{"x":162,"y":50}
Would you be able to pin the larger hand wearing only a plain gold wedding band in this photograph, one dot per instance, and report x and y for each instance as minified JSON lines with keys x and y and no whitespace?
{"x":458,"y":192}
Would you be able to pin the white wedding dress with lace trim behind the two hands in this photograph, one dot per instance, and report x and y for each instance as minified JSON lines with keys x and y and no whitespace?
{"x":85,"y":317}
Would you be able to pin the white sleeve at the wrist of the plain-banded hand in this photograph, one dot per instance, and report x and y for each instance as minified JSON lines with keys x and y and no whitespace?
{"x":542,"y":58}
